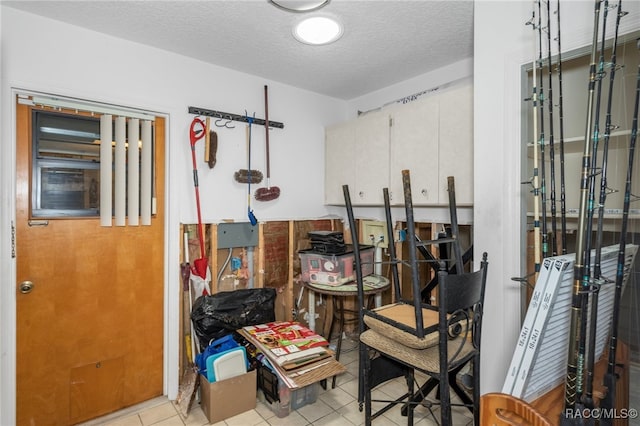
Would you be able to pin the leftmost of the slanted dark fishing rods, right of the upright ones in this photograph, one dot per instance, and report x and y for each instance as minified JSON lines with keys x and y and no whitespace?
{"x":573,"y":383}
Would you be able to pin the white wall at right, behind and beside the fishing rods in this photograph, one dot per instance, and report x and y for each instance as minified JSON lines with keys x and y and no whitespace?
{"x":502,"y":45}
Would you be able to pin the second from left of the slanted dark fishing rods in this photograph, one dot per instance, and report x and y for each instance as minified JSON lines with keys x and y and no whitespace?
{"x":588,"y":348}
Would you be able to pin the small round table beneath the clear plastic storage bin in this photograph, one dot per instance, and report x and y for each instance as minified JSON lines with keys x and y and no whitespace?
{"x":372,"y":285}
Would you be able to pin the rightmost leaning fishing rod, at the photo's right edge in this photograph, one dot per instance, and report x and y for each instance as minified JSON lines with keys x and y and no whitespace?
{"x":610,"y":376}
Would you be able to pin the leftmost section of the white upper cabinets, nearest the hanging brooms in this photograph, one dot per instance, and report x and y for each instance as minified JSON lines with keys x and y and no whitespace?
{"x":357,"y":154}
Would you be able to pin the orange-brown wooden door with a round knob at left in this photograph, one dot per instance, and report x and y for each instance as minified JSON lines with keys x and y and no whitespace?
{"x":90,"y":332}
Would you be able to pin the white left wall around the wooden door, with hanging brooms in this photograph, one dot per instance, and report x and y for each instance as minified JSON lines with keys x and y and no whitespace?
{"x":44,"y":55}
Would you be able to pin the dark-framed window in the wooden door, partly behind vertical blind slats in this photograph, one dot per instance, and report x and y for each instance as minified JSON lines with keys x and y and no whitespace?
{"x":66,"y":162}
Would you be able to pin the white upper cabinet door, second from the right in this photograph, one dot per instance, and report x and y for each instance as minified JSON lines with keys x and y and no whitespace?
{"x":414,"y":147}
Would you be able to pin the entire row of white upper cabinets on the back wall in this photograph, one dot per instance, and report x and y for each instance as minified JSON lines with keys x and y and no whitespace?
{"x":431,"y":137}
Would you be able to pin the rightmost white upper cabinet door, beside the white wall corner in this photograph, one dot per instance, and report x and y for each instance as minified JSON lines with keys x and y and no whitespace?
{"x":456,"y":144}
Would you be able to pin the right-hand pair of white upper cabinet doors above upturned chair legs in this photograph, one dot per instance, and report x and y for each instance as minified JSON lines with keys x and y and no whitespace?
{"x":433,"y":138}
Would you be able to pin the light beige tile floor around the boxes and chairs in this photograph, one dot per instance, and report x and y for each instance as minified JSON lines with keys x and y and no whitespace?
{"x":333,"y":407}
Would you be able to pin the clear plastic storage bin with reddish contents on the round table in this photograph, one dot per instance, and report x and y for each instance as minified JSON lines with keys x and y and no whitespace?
{"x":334,"y":269}
